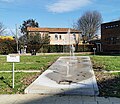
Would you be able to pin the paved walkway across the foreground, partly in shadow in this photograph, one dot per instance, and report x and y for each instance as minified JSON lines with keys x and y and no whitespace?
{"x":55,"y":99}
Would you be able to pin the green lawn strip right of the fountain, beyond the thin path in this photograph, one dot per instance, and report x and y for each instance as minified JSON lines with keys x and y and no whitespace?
{"x":109,"y":63}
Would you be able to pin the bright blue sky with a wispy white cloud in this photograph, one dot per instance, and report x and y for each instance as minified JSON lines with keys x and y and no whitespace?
{"x":55,"y":13}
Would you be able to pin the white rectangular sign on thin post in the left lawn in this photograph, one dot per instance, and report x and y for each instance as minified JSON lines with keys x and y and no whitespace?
{"x":13,"y":59}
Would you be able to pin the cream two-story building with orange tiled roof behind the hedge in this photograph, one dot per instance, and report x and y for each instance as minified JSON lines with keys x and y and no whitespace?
{"x":58,"y":36}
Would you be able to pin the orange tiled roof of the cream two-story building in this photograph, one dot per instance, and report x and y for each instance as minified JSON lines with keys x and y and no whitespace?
{"x":51,"y":29}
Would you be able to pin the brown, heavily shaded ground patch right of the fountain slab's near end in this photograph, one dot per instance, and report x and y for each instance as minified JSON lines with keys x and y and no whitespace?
{"x":109,"y":84}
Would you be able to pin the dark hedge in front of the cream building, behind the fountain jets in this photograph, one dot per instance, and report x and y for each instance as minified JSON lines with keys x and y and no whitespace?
{"x":58,"y":48}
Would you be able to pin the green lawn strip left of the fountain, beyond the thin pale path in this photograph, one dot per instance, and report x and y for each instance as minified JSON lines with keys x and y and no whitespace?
{"x":28,"y":62}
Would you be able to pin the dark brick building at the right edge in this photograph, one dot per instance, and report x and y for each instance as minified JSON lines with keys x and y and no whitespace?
{"x":110,"y":36}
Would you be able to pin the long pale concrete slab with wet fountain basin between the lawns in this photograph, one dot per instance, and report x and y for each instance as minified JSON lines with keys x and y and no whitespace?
{"x":68,"y":75}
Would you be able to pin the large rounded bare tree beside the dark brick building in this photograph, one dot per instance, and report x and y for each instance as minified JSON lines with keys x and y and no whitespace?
{"x":89,"y":23}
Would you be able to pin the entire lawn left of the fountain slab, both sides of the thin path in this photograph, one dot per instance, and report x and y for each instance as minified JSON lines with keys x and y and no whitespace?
{"x":22,"y":80}
